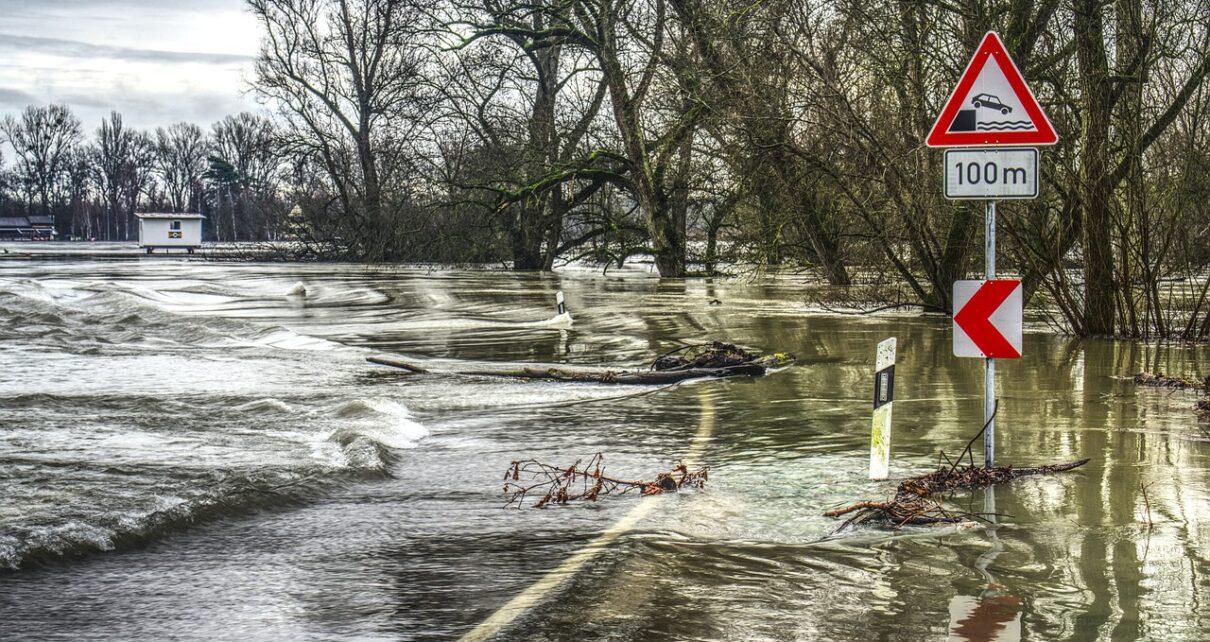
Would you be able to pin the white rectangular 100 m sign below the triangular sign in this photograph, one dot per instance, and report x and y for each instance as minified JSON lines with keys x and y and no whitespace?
{"x":995,"y":173}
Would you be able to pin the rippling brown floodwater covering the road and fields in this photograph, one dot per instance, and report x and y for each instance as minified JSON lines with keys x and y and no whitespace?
{"x":187,"y":453}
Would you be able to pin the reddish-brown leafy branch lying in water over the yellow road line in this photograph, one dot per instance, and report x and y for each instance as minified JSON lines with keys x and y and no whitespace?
{"x":587,"y":483}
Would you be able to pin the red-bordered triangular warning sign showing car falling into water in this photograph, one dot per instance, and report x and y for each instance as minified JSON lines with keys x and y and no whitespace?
{"x":992,"y":106}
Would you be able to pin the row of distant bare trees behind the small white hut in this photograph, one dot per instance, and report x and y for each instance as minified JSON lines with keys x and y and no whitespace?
{"x":94,"y":186}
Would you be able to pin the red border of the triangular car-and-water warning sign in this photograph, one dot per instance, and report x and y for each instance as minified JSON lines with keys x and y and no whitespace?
{"x":992,"y":48}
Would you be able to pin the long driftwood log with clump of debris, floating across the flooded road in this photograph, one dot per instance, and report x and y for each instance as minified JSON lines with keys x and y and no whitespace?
{"x":710,"y":361}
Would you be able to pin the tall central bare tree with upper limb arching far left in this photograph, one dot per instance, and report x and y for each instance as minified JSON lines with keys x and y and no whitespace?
{"x":647,"y":68}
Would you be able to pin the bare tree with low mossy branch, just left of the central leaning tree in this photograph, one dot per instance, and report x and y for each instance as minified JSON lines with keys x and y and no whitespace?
{"x":537,"y":103}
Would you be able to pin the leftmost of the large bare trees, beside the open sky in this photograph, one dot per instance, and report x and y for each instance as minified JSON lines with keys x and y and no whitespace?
{"x":345,"y":74}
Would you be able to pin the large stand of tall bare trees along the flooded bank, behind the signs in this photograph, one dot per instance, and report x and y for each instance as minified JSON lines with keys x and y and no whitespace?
{"x":711,"y":135}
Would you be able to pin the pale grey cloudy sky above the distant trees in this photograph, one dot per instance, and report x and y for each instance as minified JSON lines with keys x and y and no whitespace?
{"x":157,"y":62}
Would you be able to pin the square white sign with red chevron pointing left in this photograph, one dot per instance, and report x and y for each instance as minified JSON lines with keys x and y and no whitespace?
{"x":988,"y":322}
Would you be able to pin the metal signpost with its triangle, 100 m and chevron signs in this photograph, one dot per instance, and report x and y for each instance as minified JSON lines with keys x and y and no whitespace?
{"x":992,"y":107}
